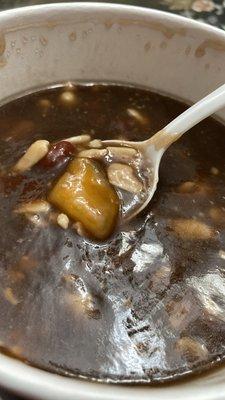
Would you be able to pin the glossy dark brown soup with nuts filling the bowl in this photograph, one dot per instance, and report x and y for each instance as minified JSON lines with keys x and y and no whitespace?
{"x":145,"y":305}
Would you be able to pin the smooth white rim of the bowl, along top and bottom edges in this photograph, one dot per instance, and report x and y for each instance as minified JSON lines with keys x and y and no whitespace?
{"x":27,"y":380}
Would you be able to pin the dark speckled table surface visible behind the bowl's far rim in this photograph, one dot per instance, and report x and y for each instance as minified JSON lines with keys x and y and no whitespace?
{"x":209,"y":11}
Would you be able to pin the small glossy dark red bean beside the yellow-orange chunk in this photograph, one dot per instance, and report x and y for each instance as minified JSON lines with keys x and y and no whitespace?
{"x":58,"y":154}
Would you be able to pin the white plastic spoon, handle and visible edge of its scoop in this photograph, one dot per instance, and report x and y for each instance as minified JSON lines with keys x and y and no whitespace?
{"x":151,"y":150}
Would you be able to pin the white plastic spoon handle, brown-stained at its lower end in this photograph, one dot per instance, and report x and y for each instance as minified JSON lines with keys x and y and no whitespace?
{"x":193,"y":115}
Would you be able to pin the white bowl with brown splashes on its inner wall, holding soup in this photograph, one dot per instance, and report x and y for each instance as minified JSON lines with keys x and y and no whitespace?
{"x":42,"y":45}
